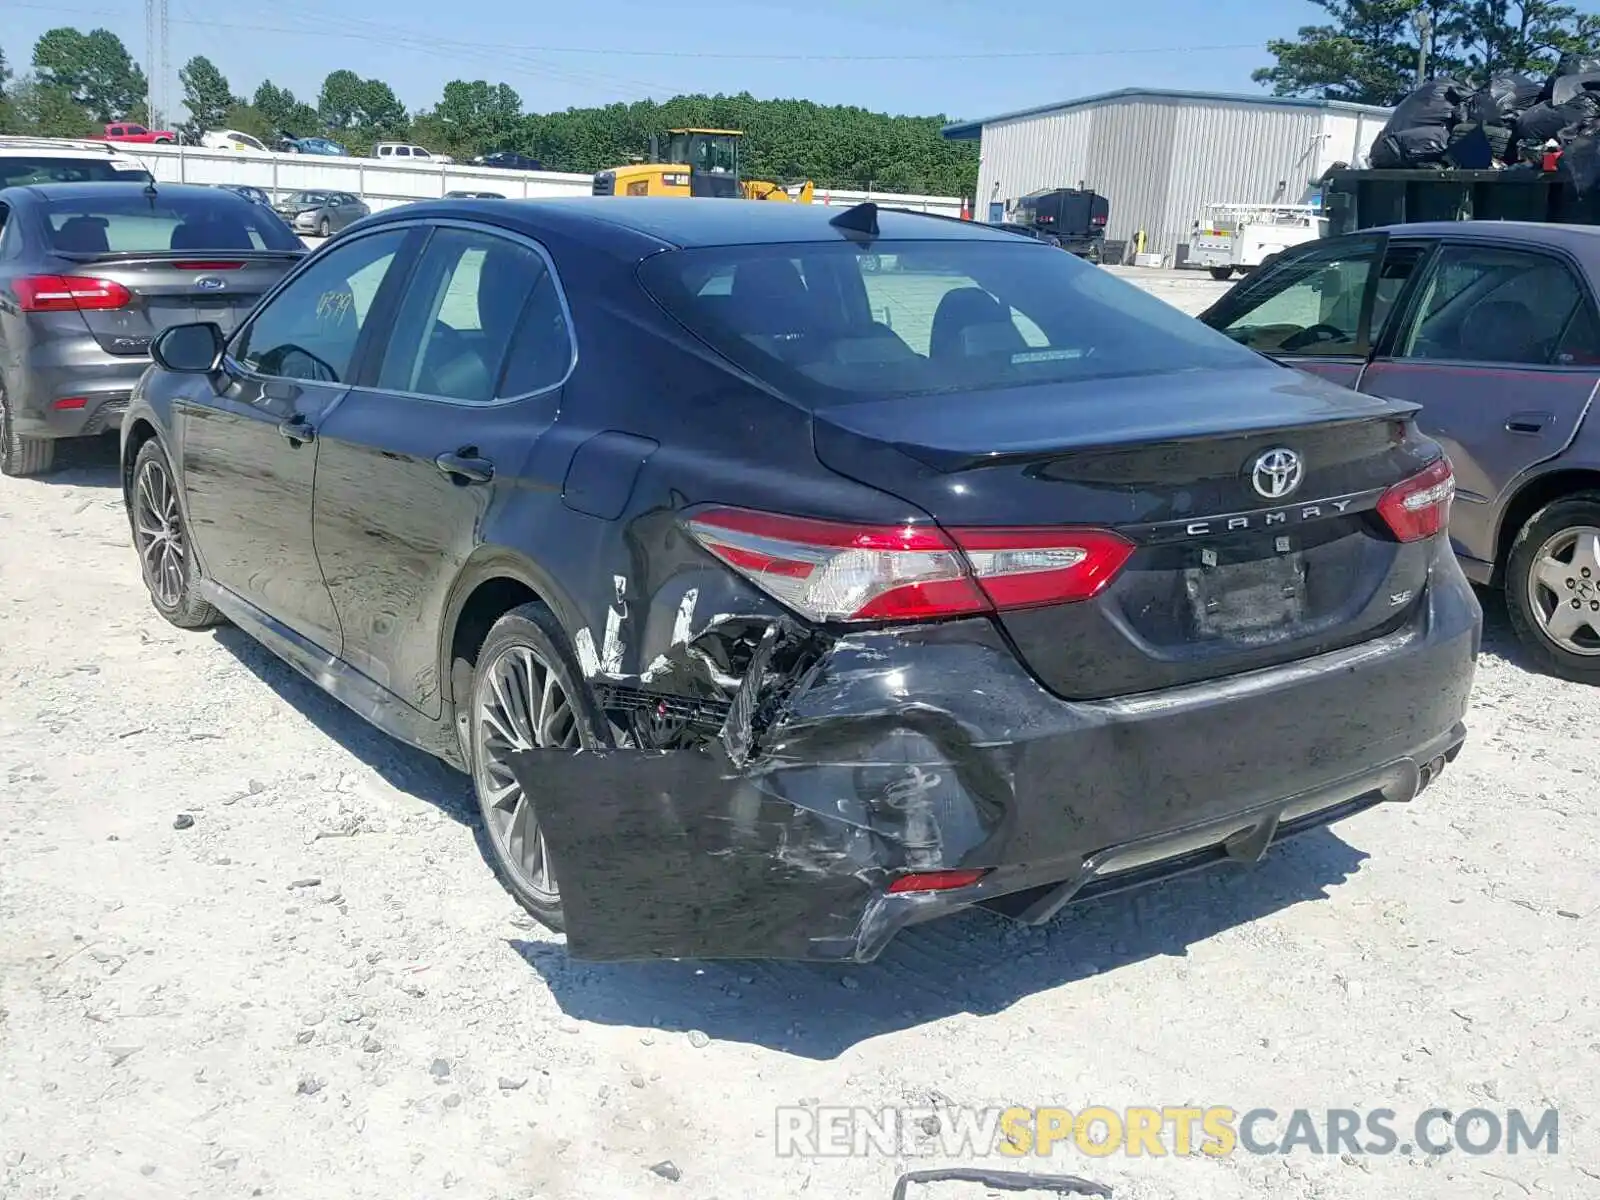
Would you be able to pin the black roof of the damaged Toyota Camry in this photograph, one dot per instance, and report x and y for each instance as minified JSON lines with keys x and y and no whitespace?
{"x":711,"y":223}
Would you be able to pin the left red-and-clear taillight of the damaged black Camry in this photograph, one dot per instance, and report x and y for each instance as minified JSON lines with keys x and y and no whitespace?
{"x":838,"y":572}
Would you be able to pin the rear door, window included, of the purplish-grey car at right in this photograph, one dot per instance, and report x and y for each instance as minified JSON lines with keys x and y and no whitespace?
{"x":1500,"y":348}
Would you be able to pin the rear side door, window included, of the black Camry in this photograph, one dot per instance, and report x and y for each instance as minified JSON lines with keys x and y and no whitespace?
{"x":436,"y":434}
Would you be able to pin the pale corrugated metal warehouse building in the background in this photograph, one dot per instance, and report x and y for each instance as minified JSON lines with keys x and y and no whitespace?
{"x":1159,"y":156}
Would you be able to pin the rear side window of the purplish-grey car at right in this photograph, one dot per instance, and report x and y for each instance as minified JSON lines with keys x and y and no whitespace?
{"x":1494,"y":306}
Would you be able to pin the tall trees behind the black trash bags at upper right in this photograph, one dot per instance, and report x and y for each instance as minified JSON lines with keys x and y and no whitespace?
{"x":1367,"y":50}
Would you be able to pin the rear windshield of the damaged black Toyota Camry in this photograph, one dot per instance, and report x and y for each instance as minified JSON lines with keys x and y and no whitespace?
{"x":836,"y":322}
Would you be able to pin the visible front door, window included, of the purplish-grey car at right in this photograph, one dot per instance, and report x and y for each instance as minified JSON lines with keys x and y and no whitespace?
{"x":1311,"y":310}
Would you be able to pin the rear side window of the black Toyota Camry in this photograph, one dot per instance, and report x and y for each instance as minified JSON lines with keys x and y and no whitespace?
{"x":468,"y":302}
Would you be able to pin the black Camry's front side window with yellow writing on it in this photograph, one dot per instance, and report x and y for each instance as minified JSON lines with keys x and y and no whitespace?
{"x":311,"y":329}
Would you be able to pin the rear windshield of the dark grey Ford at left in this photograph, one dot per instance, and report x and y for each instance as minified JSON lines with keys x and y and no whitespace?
{"x":121,"y":225}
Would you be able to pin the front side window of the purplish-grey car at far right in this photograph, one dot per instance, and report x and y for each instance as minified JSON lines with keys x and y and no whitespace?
{"x":1308,"y":305}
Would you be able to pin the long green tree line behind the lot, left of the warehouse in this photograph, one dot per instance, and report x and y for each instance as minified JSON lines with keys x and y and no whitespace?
{"x":82,"y":81}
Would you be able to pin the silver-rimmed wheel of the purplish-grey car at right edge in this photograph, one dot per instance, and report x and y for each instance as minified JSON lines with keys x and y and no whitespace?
{"x":1553,"y":588}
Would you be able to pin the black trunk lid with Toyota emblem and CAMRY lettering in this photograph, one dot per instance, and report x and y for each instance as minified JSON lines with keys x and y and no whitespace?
{"x":1225,"y":578}
